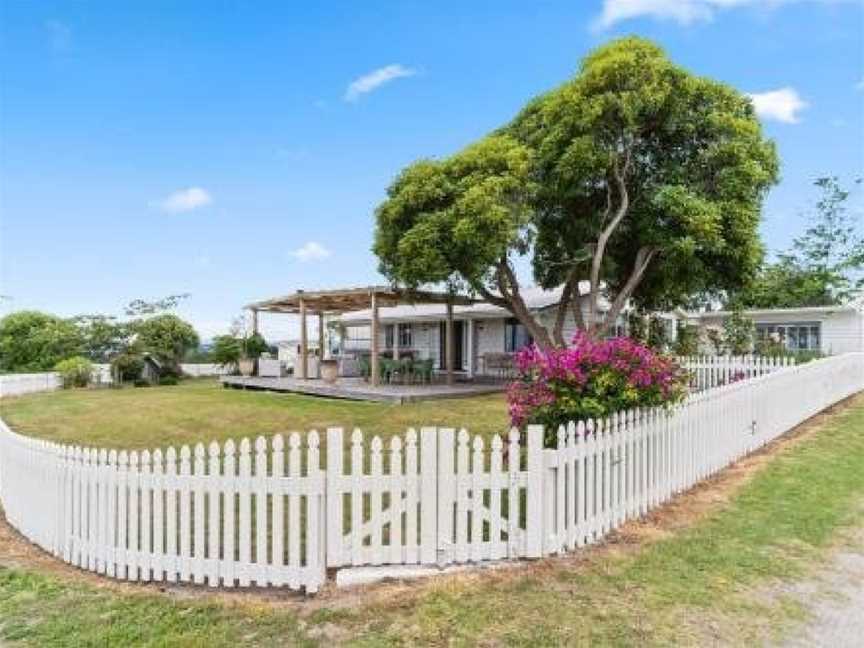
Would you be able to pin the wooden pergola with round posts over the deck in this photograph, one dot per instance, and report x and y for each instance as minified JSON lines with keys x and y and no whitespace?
{"x":331,"y":302}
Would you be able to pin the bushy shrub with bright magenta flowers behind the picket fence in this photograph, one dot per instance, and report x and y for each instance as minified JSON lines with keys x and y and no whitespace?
{"x":588,"y":380}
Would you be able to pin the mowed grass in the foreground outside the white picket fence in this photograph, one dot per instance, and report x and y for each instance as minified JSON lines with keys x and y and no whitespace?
{"x":699,"y":585}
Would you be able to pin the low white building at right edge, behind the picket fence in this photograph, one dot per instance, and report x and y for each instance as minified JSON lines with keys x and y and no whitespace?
{"x":828,"y":329}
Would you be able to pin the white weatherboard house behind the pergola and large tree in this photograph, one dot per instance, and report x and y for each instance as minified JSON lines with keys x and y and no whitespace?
{"x":484,"y":334}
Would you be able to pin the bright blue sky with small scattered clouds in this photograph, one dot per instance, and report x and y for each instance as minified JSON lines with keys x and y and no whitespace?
{"x":236,"y":150}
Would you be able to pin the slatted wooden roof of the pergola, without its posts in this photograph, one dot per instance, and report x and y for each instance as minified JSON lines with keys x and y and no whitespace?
{"x":352,"y":299}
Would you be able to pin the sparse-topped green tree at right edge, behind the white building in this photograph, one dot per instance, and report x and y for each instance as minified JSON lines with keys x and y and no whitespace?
{"x":823,"y":267}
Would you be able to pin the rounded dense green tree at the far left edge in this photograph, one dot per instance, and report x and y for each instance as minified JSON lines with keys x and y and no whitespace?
{"x":36,"y":341}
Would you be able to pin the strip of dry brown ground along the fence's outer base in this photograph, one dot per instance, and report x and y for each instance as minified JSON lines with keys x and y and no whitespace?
{"x":680,"y":513}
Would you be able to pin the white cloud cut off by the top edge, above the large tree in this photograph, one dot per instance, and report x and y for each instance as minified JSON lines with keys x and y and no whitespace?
{"x":684,"y":12}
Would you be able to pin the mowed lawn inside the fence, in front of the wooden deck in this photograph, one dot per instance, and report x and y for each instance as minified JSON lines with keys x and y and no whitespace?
{"x":201,"y":410}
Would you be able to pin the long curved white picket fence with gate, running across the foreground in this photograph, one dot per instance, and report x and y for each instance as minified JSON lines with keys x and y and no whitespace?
{"x":270,"y":515}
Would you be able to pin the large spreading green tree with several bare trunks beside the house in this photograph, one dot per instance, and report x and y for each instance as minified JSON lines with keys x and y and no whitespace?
{"x":635,"y":176}
